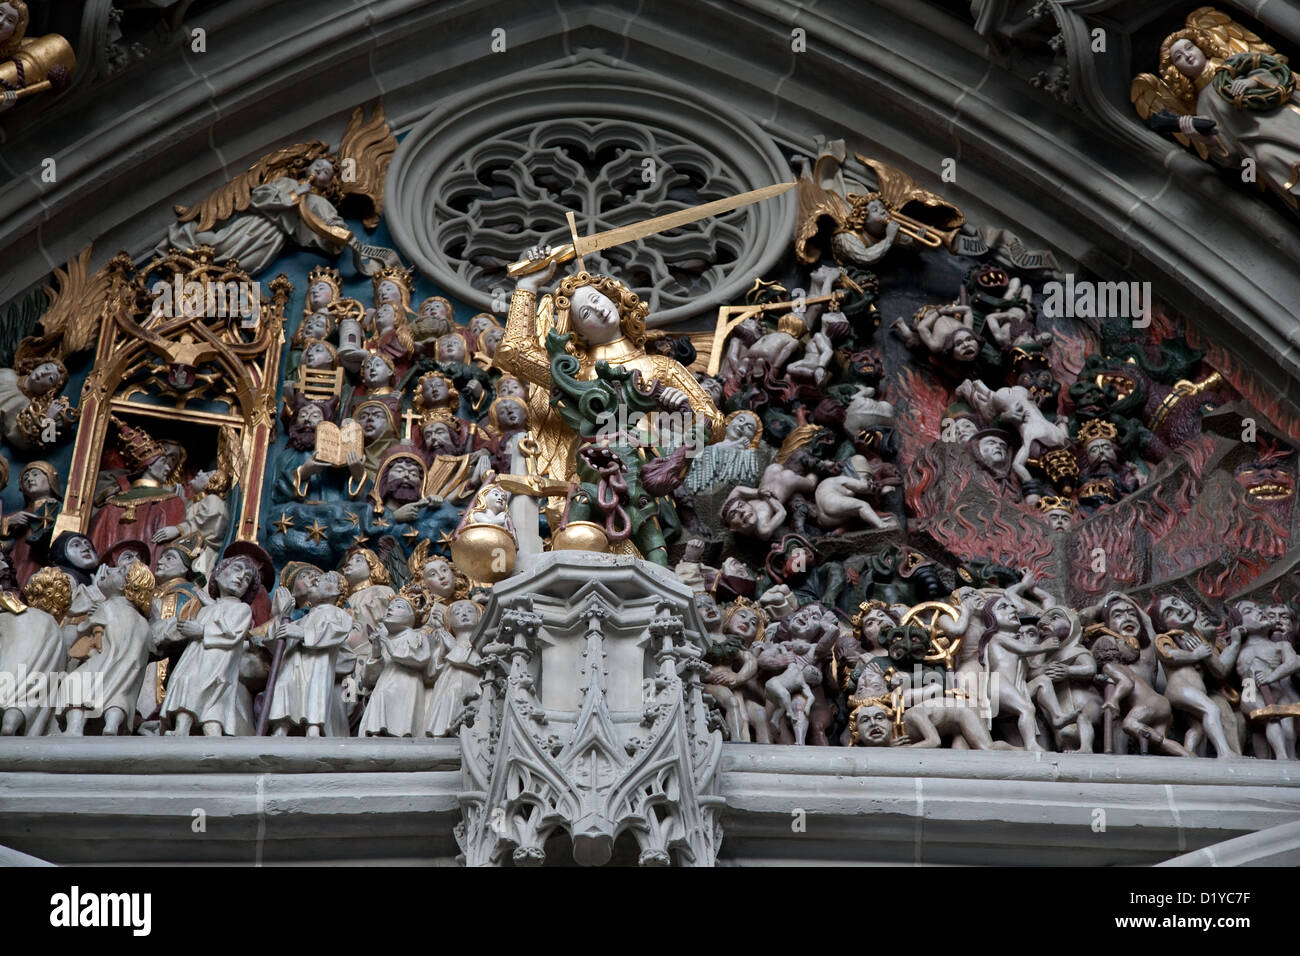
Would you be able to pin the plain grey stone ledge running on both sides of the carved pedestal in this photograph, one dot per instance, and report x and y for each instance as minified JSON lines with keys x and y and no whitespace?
{"x":268,"y":801}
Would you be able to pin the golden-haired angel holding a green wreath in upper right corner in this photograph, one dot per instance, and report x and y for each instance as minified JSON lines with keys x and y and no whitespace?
{"x":1229,"y":96}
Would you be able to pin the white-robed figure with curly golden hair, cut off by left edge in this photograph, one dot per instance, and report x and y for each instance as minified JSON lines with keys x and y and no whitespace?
{"x":32,"y":648}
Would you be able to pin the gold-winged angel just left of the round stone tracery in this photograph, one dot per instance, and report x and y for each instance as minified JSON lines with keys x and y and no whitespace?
{"x":293,"y":196}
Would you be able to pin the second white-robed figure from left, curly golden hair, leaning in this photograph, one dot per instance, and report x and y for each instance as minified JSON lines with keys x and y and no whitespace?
{"x":120,"y":641}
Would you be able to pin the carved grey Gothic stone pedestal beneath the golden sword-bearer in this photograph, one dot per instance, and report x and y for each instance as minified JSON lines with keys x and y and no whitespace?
{"x":591,"y":721}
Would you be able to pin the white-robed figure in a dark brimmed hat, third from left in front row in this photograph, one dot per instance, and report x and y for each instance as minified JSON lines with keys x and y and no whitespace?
{"x":205,"y":690}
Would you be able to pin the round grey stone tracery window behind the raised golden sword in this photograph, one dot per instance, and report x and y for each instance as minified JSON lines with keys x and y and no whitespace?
{"x":480,"y":180}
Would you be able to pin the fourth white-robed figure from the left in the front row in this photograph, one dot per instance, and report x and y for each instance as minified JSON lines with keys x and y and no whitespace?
{"x":305,"y":691}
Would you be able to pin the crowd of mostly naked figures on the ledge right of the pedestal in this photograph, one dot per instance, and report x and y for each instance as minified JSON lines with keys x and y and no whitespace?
{"x":1009,"y":669}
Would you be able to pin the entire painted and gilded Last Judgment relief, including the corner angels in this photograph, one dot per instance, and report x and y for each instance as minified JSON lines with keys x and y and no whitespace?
{"x":928,"y":488}
